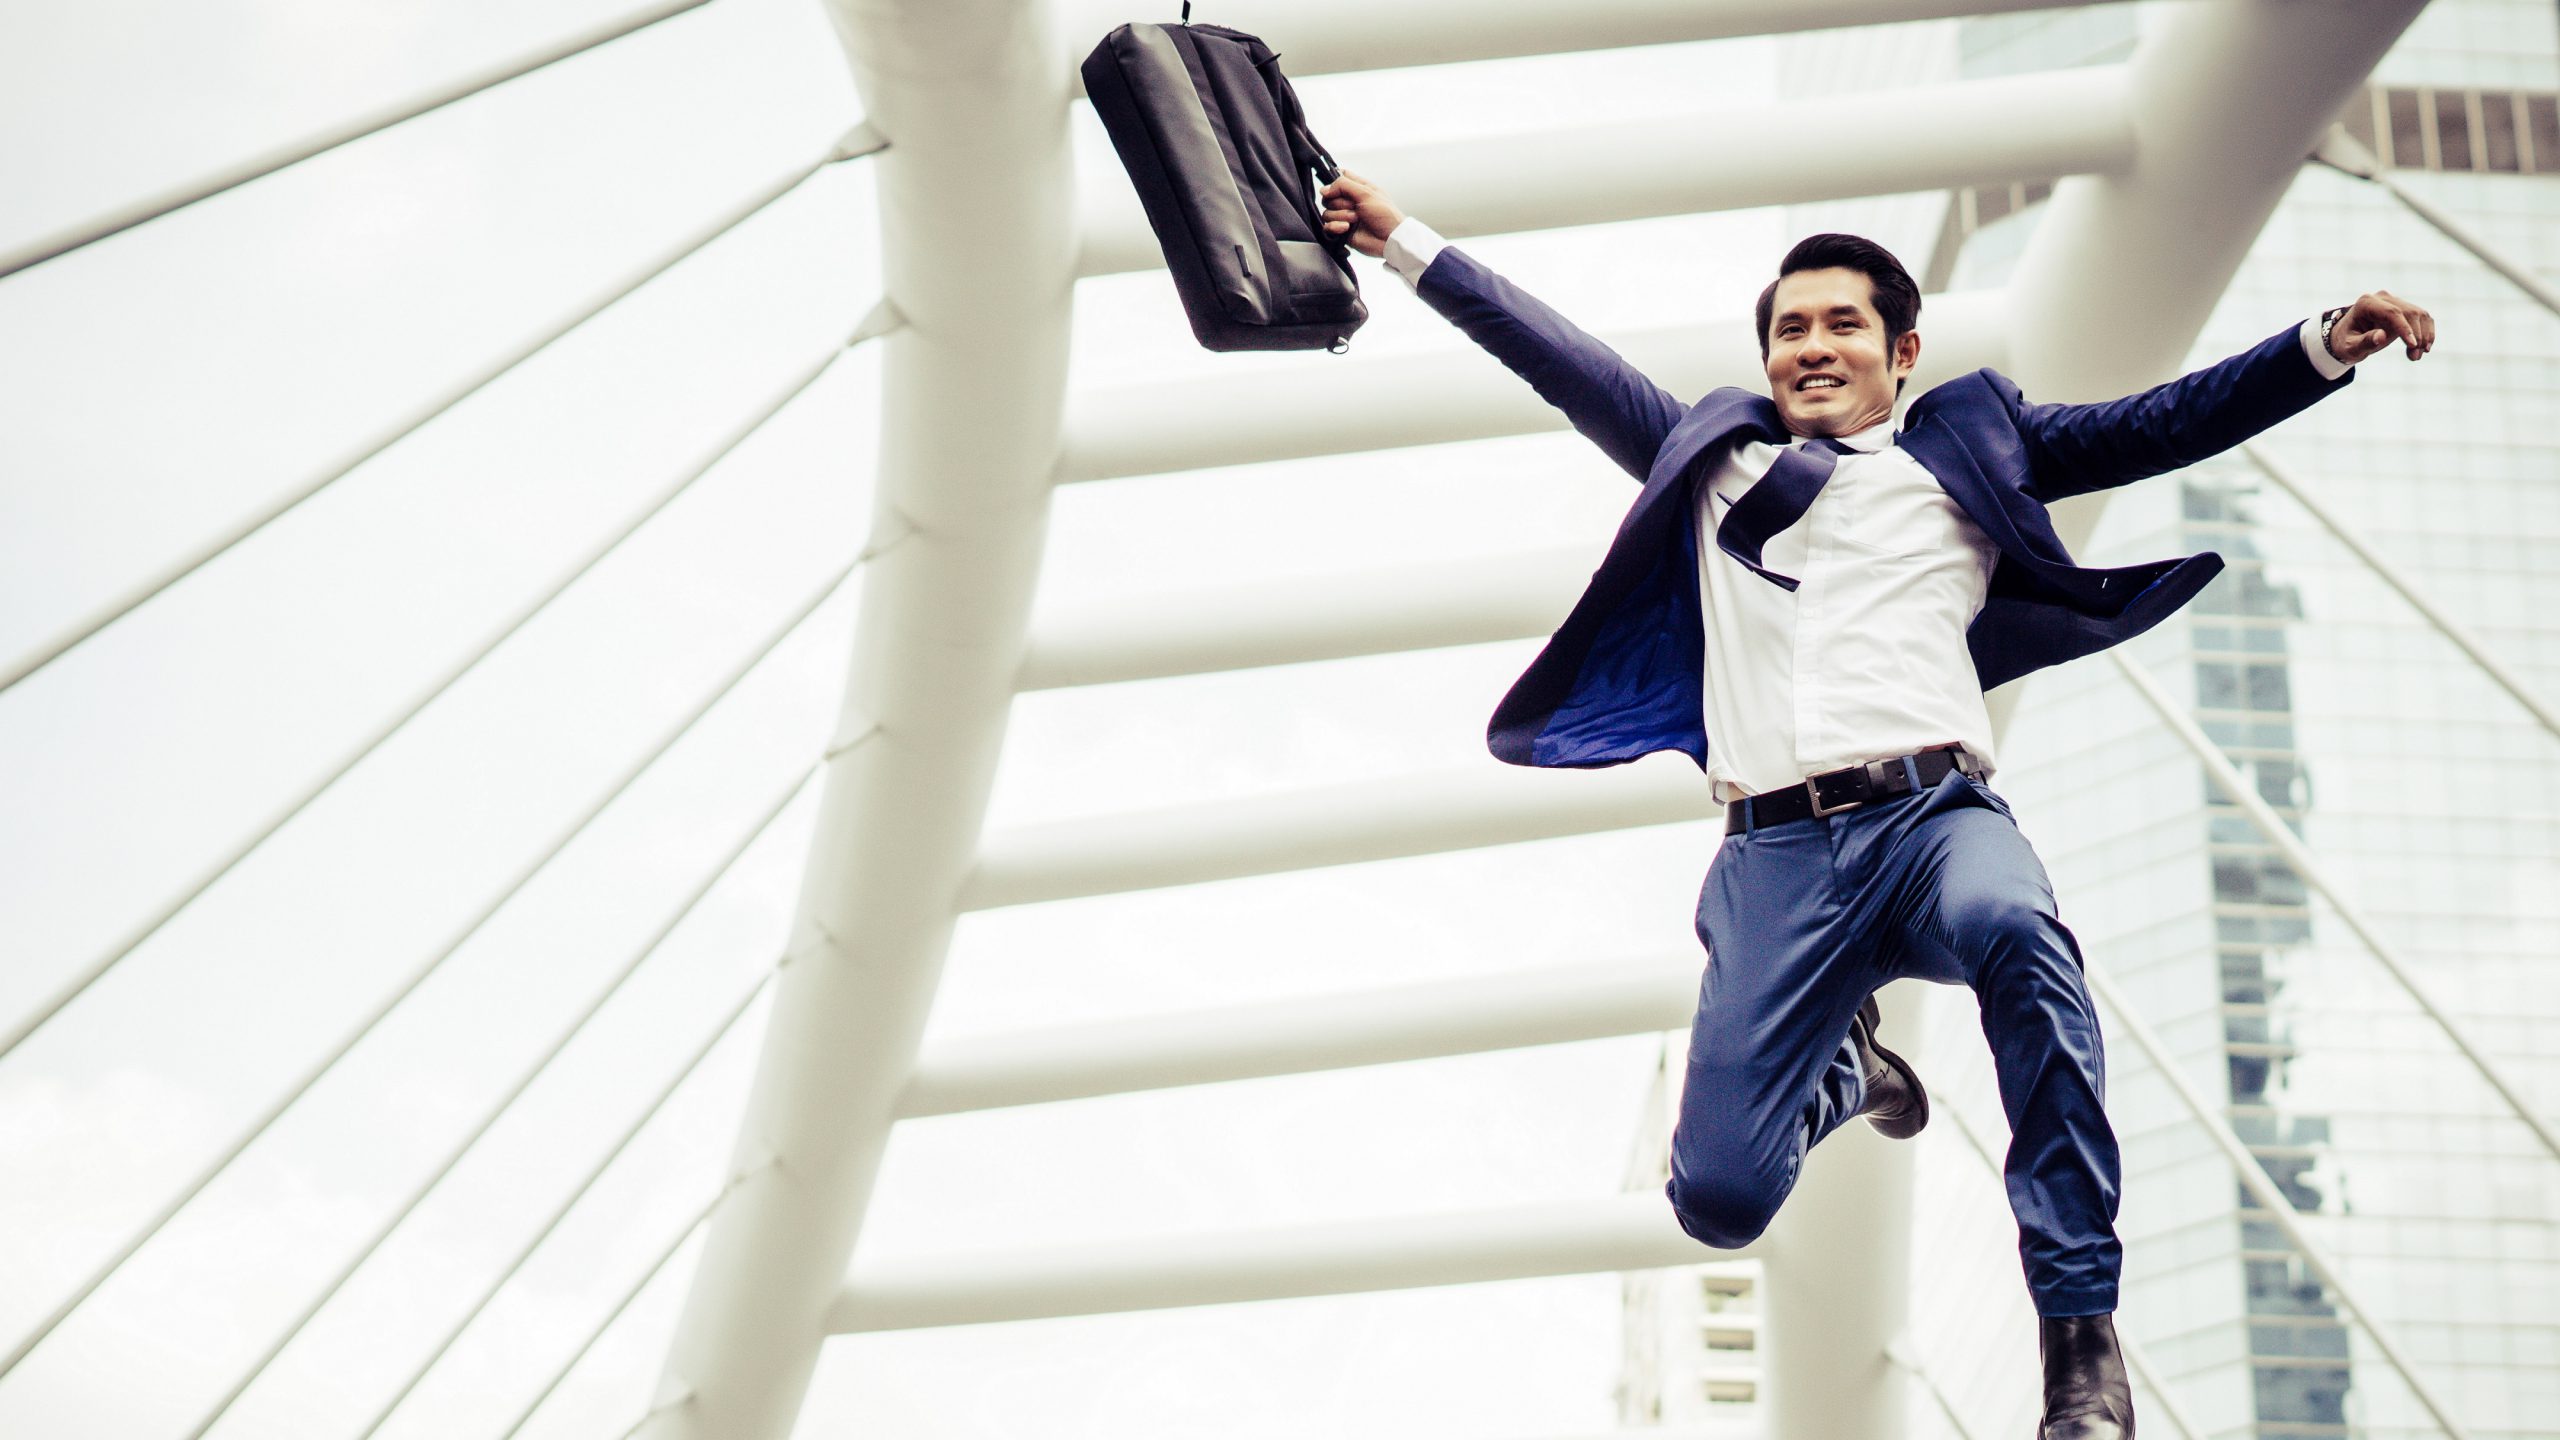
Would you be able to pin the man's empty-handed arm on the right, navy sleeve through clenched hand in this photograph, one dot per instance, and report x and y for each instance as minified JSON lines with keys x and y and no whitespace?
{"x":2095,"y":447}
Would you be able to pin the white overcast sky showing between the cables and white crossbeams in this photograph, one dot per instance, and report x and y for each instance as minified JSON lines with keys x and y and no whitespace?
{"x":170,"y":380}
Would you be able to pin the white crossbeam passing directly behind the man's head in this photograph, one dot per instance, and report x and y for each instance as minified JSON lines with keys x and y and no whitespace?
{"x":1437,"y":398}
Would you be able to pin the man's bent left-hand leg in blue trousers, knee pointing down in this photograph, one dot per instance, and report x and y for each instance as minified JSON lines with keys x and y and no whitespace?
{"x":1770,"y":1067}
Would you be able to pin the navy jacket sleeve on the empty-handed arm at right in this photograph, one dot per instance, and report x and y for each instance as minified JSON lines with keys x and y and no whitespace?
{"x":2075,"y":450}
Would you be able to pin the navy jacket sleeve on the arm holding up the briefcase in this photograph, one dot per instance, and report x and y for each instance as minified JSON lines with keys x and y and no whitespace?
{"x":1606,"y":398}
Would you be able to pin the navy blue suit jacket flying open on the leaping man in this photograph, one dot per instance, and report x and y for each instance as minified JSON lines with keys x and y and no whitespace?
{"x":1624,"y":673}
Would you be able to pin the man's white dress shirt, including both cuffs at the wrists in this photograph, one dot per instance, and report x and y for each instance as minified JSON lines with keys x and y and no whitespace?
{"x":1868,"y":657}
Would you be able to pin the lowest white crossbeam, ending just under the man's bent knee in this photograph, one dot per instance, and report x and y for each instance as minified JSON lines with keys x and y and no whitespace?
{"x":1169,"y":1272}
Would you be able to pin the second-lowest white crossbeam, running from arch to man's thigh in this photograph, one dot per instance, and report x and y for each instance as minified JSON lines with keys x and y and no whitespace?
{"x":1299,"y":1036}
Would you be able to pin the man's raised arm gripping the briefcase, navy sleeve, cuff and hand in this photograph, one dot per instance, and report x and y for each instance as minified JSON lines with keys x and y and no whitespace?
{"x":1606,"y":398}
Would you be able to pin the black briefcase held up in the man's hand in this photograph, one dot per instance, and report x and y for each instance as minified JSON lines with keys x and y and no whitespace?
{"x":1228,"y":170}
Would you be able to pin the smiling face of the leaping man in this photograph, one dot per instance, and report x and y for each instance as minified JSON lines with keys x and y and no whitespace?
{"x":1829,"y":368}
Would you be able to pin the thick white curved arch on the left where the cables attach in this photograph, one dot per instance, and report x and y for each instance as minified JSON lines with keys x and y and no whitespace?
{"x":979,"y":255}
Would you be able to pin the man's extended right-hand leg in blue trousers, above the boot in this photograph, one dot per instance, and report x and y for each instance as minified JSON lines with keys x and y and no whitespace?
{"x":1975,"y":908}
